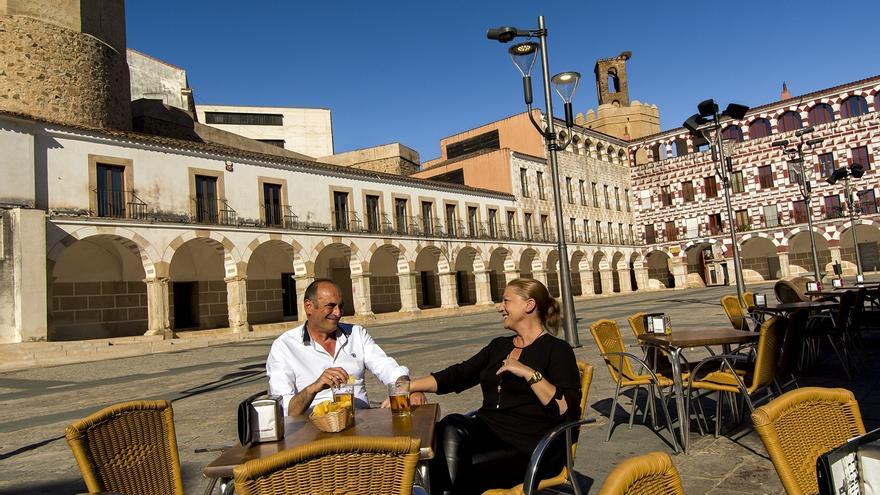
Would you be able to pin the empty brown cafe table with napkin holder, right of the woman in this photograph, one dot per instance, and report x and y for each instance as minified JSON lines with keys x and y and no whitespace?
{"x":679,"y":340}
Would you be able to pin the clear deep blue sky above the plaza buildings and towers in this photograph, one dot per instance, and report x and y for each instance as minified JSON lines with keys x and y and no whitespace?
{"x":414,"y":71}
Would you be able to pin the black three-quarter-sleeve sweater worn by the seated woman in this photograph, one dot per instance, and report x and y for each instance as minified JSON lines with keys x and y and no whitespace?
{"x":516,"y":415}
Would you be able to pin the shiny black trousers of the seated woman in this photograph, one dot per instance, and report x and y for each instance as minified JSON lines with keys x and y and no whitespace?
{"x":470,"y":459}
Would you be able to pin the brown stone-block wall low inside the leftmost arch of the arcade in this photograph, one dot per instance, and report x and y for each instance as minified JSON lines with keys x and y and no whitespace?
{"x":95,"y":310}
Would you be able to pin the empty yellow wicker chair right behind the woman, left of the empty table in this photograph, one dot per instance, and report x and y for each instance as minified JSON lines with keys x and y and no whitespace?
{"x":607,"y":336}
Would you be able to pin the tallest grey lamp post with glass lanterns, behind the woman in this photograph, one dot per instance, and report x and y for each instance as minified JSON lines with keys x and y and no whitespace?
{"x":565,"y":83}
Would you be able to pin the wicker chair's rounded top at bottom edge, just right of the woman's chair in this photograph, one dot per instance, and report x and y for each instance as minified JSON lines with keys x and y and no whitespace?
{"x":649,"y":474}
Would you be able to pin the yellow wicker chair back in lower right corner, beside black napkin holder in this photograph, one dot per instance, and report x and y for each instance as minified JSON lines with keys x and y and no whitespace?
{"x":801,"y":425}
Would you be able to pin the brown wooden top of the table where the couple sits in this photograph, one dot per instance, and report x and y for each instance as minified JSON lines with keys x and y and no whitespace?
{"x":368,"y":422}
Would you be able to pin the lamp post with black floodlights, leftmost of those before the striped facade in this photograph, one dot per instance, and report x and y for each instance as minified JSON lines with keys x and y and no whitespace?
{"x":701,"y":124}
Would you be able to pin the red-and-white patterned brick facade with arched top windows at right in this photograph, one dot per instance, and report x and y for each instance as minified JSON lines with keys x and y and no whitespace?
{"x":770,"y":249}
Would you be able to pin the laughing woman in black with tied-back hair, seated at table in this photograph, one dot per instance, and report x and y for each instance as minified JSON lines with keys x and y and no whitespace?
{"x":530,"y":384}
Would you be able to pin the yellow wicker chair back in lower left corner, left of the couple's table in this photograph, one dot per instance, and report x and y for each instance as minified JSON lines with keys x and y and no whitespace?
{"x":128,"y":448}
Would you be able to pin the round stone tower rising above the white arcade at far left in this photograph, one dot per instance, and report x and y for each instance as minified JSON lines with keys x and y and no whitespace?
{"x":65,"y":60}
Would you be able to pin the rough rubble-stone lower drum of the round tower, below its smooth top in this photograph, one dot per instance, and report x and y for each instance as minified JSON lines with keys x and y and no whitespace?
{"x":55,"y":73}
